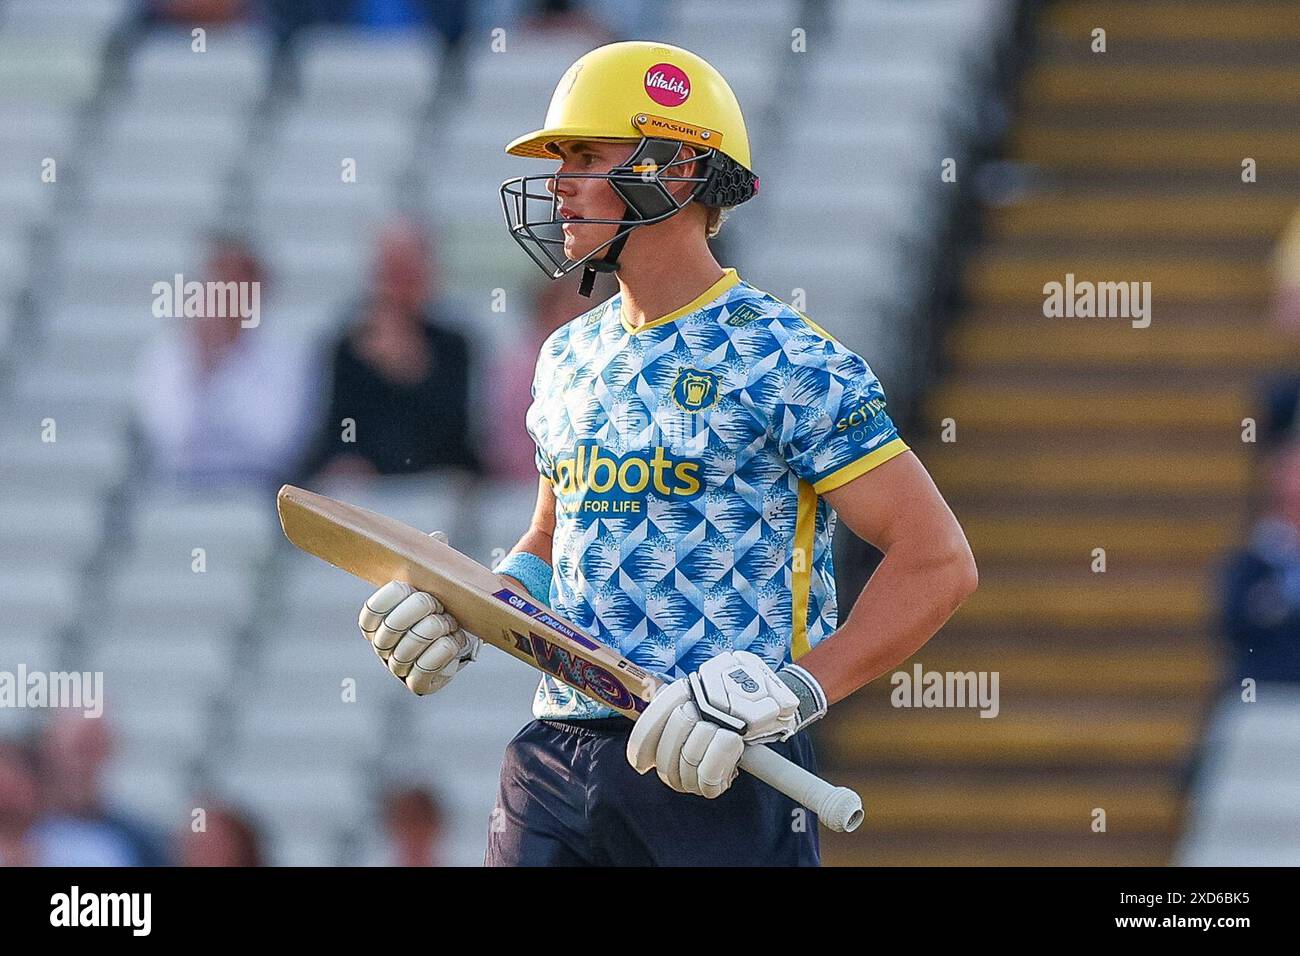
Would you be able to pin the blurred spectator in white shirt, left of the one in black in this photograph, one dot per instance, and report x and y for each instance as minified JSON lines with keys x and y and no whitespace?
{"x":218,"y":403}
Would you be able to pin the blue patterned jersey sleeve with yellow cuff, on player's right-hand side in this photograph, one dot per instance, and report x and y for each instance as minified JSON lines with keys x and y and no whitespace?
{"x":827,"y":413}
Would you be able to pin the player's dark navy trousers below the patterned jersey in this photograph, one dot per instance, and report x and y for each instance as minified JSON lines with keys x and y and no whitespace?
{"x":569,"y":798}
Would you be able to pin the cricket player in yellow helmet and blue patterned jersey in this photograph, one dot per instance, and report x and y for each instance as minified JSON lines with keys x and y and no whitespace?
{"x":696,"y":440}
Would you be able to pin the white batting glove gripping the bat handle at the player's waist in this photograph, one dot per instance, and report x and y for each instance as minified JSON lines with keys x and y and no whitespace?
{"x":696,"y":729}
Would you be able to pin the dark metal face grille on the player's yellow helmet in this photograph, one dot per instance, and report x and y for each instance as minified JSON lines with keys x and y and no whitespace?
{"x":535,"y":222}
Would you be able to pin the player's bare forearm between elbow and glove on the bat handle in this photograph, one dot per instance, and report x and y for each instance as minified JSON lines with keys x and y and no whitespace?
{"x":912,"y":595}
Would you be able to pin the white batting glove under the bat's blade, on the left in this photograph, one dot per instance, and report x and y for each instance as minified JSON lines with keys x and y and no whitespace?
{"x":421,"y":643}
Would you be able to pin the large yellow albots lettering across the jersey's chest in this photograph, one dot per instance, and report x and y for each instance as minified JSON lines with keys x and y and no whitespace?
{"x":592,"y":473}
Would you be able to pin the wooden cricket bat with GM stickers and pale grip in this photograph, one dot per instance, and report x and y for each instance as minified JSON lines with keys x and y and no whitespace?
{"x":380,"y":550}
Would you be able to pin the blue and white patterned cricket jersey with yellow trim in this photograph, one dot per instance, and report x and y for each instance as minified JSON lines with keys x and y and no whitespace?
{"x":688,"y":458}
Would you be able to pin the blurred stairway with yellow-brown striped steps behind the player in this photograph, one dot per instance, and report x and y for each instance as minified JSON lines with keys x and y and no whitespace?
{"x":1074,"y":435}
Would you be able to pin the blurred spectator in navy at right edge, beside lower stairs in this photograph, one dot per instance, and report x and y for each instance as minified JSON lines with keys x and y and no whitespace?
{"x":1262,"y":602}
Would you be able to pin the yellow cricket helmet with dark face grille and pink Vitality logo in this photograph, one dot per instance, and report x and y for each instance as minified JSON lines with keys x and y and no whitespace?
{"x":614,"y":94}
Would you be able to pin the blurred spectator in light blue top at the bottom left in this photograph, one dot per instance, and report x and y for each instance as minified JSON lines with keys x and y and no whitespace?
{"x":76,"y":829}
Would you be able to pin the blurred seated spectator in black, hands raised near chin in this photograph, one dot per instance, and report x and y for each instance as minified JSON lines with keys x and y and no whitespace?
{"x":401,"y":375}
